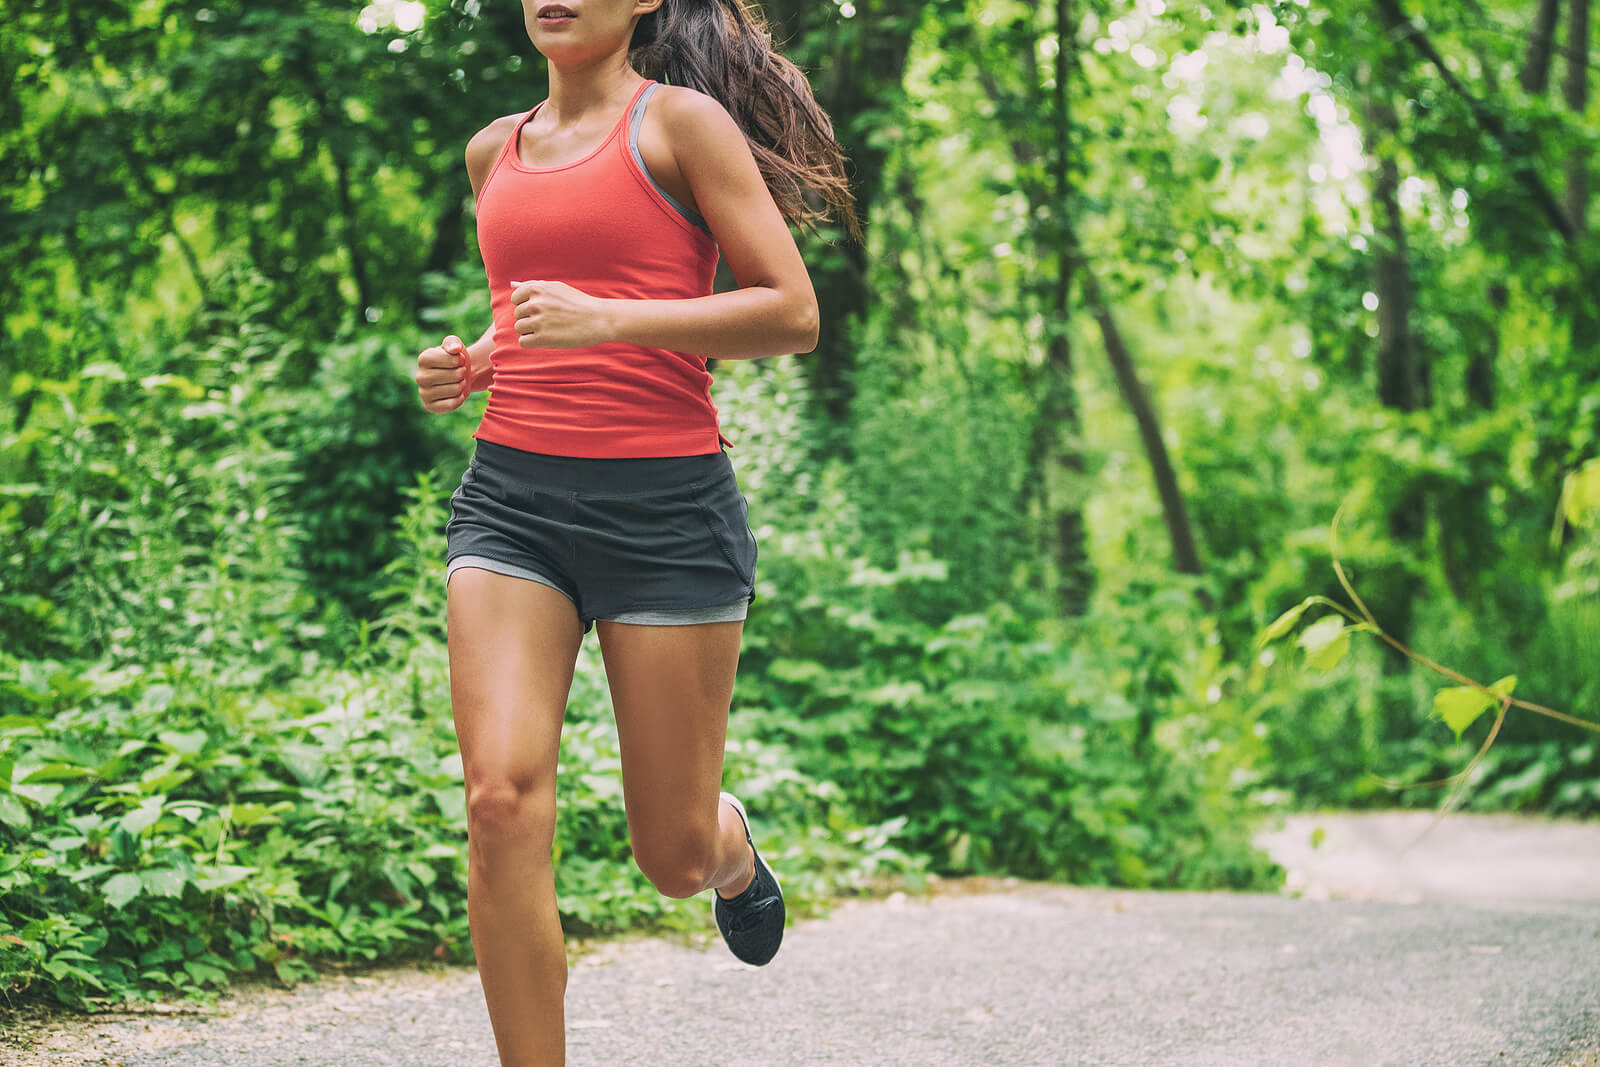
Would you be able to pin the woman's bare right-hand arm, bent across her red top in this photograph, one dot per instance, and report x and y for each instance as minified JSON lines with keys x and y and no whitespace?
{"x":775,"y":310}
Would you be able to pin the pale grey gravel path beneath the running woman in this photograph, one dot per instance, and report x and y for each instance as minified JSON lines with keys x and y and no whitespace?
{"x":1479,"y":945}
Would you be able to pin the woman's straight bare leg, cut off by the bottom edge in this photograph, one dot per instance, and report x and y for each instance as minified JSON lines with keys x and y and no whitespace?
{"x":513,"y":647}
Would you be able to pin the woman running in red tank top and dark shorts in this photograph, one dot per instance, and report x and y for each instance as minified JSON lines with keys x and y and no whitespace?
{"x":599,"y":492}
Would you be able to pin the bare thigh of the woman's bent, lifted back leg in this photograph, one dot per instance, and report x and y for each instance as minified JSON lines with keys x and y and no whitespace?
{"x":671,"y":689}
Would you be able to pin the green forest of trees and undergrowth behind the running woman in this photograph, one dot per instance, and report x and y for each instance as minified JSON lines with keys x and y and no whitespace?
{"x":1151,"y":290}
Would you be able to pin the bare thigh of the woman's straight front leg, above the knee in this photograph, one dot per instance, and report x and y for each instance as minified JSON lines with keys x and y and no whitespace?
{"x":513,"y":649}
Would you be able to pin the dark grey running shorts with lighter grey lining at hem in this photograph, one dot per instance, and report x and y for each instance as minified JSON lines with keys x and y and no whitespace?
{"x":649,"y":541}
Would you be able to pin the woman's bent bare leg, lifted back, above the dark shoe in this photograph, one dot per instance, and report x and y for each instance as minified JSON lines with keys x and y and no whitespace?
{"x":671,"y":687}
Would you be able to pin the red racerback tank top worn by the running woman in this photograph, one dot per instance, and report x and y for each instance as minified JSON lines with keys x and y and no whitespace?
{"x":602,"y":226}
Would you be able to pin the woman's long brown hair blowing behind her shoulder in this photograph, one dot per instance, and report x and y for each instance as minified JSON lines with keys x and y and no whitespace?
{"x":724,"y":49}
